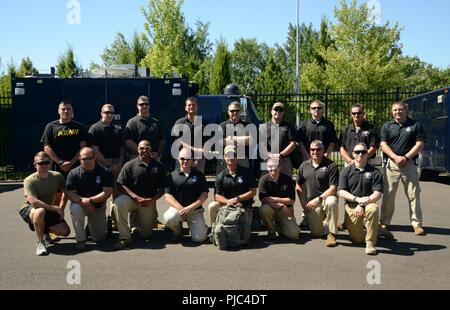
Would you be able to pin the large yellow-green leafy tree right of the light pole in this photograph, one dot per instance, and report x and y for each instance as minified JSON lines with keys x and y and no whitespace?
{"x":364,"y":55}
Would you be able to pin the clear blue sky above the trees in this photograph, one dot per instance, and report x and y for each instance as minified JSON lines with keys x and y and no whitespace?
{"x":39,"y":29}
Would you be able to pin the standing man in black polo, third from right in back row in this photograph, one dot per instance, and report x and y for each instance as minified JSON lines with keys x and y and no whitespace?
{"x":317,"y":128}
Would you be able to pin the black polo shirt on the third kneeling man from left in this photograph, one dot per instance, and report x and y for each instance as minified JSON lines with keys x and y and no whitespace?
{"x":142,"y":179}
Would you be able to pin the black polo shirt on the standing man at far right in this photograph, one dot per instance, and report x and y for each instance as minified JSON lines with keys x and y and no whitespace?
{"x":402,"y":138}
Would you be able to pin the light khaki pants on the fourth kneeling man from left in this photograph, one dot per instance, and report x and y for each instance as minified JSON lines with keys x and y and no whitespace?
{"x":196,"y":223}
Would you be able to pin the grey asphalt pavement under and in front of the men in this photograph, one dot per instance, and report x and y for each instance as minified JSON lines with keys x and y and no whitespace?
{"x":408,"y":262}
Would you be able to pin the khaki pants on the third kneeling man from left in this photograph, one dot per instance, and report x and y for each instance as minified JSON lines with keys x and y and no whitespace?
{"x":145,"y":217}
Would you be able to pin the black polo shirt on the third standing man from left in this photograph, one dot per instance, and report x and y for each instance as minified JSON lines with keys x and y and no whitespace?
{"x":139,"y":128}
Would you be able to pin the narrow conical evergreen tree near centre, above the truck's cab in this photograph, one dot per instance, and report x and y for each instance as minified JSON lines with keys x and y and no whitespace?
{"x":220,"y":72}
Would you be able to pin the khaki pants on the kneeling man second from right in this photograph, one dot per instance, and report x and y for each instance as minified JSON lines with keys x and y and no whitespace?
{"x":326,"y":213}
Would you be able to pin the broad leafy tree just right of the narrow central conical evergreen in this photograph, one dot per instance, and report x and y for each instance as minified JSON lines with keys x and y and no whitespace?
{"x":248,"y":62}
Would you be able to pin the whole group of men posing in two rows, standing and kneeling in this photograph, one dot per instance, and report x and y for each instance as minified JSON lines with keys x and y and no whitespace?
{"x":88,"y":167}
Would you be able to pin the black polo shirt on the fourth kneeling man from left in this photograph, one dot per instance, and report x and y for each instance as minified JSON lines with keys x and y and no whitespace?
{"x":186,"y":189}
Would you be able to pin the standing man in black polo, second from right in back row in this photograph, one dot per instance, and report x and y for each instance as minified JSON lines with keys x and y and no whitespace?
{"x":358,"y":131}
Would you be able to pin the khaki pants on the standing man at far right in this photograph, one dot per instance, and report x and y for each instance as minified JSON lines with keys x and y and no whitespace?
{"x":410,"y":179}
